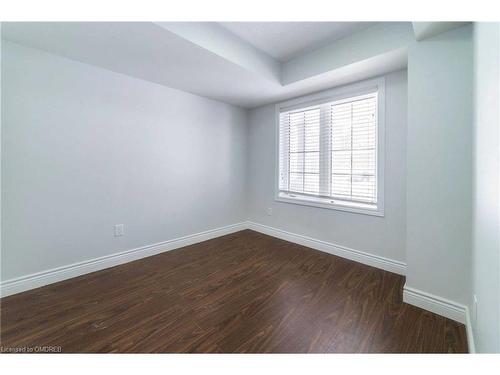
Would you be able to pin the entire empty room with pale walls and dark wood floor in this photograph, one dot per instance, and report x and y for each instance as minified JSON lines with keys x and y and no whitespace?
{"x":250,"y":187}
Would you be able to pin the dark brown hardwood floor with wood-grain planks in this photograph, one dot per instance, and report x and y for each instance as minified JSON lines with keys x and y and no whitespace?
{"x":244,"y":292}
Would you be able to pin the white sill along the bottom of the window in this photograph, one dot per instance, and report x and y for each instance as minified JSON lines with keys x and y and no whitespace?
{"x":324,"y":203}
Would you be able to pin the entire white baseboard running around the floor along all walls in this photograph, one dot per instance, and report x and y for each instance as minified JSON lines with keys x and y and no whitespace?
{"x":427,"y":301}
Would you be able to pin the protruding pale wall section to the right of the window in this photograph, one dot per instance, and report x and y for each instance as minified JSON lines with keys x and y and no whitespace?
{"x":439,"y":154}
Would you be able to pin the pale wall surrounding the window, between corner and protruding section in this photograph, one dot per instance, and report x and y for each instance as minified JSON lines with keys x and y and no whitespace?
{"x":383,"y":236}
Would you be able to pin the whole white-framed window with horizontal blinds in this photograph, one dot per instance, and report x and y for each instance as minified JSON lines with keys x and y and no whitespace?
{"x":331,"y":149}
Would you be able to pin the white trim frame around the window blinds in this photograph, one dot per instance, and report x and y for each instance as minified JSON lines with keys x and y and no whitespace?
{"x":338,"y":93}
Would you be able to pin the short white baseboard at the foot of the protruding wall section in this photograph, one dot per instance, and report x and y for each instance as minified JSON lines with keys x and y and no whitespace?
{"x":435,"y":304}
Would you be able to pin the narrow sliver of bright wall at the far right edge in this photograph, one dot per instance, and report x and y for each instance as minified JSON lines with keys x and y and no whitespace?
{"x":486,"y":199}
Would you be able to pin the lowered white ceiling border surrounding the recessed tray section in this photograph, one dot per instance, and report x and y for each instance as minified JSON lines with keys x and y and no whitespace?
{"x":206,"y":59}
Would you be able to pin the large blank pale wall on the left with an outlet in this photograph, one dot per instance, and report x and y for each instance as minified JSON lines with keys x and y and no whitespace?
{"x":84,"y":148}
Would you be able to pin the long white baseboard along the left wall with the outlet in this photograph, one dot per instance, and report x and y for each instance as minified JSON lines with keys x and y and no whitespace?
{"x":36,"y":280}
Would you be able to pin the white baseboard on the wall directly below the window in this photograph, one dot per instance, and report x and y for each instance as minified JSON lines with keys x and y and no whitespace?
{"x":327,"y":247}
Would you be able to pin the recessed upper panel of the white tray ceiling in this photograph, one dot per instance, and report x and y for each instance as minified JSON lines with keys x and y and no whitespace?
{"x":286,"y":40}
